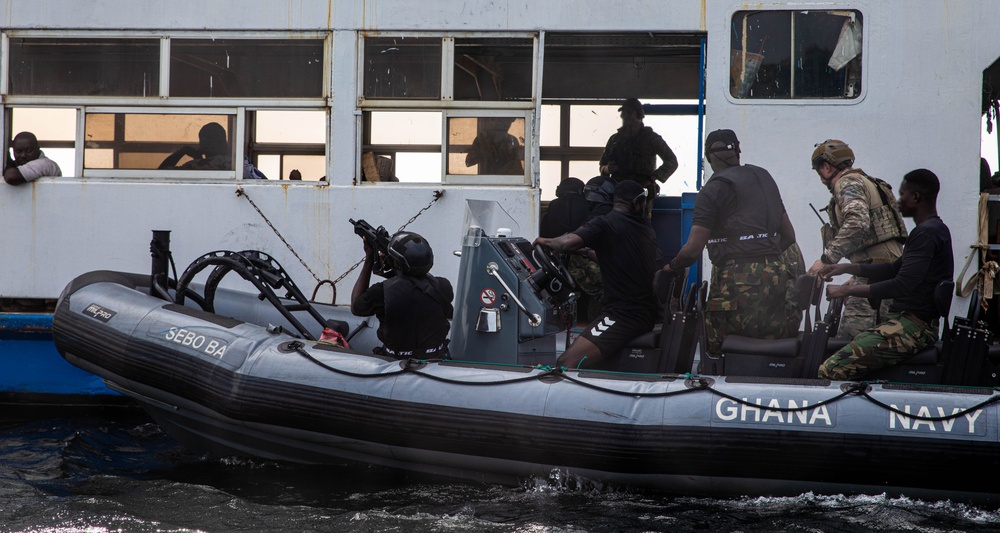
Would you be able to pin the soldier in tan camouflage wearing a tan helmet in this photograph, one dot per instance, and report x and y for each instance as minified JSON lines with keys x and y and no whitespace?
{"x":865,"y":226}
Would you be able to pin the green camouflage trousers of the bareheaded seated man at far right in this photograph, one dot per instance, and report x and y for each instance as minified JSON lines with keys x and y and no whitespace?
{"x":886,"y":344}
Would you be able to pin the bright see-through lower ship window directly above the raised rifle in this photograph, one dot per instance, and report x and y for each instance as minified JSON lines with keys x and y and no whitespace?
{"x":403,"y":146}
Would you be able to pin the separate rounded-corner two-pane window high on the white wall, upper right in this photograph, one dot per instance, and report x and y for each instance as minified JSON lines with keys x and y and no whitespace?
{"x":798,"y":101}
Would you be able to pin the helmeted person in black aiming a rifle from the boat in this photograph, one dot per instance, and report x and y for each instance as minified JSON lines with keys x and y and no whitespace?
{"x":413,"y":308}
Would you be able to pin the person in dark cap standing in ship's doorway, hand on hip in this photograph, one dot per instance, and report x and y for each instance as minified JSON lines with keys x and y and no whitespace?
{"x":631,"y":153}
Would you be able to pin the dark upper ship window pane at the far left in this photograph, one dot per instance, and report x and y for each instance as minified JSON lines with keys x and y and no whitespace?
{"x":84,"y":67}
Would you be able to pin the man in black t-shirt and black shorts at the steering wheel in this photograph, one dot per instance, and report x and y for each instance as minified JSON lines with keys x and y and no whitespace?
{"x":626,"y":250}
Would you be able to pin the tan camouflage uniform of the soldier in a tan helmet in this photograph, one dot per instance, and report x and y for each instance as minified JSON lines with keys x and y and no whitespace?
{"x":855,"y":208}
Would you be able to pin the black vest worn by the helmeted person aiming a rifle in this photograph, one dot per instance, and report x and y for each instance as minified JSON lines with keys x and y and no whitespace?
{"x":415,"y":315}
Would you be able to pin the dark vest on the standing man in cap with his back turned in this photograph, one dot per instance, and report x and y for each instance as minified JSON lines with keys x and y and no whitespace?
{"x":751,"y":231}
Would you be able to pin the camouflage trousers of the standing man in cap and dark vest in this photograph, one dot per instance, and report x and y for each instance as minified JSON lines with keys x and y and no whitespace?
{"x":749,"y":298}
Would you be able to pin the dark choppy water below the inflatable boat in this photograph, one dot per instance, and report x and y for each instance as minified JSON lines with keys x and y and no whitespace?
{"x":97,"y":475}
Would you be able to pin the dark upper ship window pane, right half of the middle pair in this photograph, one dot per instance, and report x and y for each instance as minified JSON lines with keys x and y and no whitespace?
{"x":493,"y":69}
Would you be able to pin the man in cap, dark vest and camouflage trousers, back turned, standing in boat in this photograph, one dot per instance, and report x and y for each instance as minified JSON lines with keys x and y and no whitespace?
{"x":740,"y":218}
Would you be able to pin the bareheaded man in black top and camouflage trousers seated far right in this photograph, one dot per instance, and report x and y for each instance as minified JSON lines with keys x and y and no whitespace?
{"x":912,"y":322}
